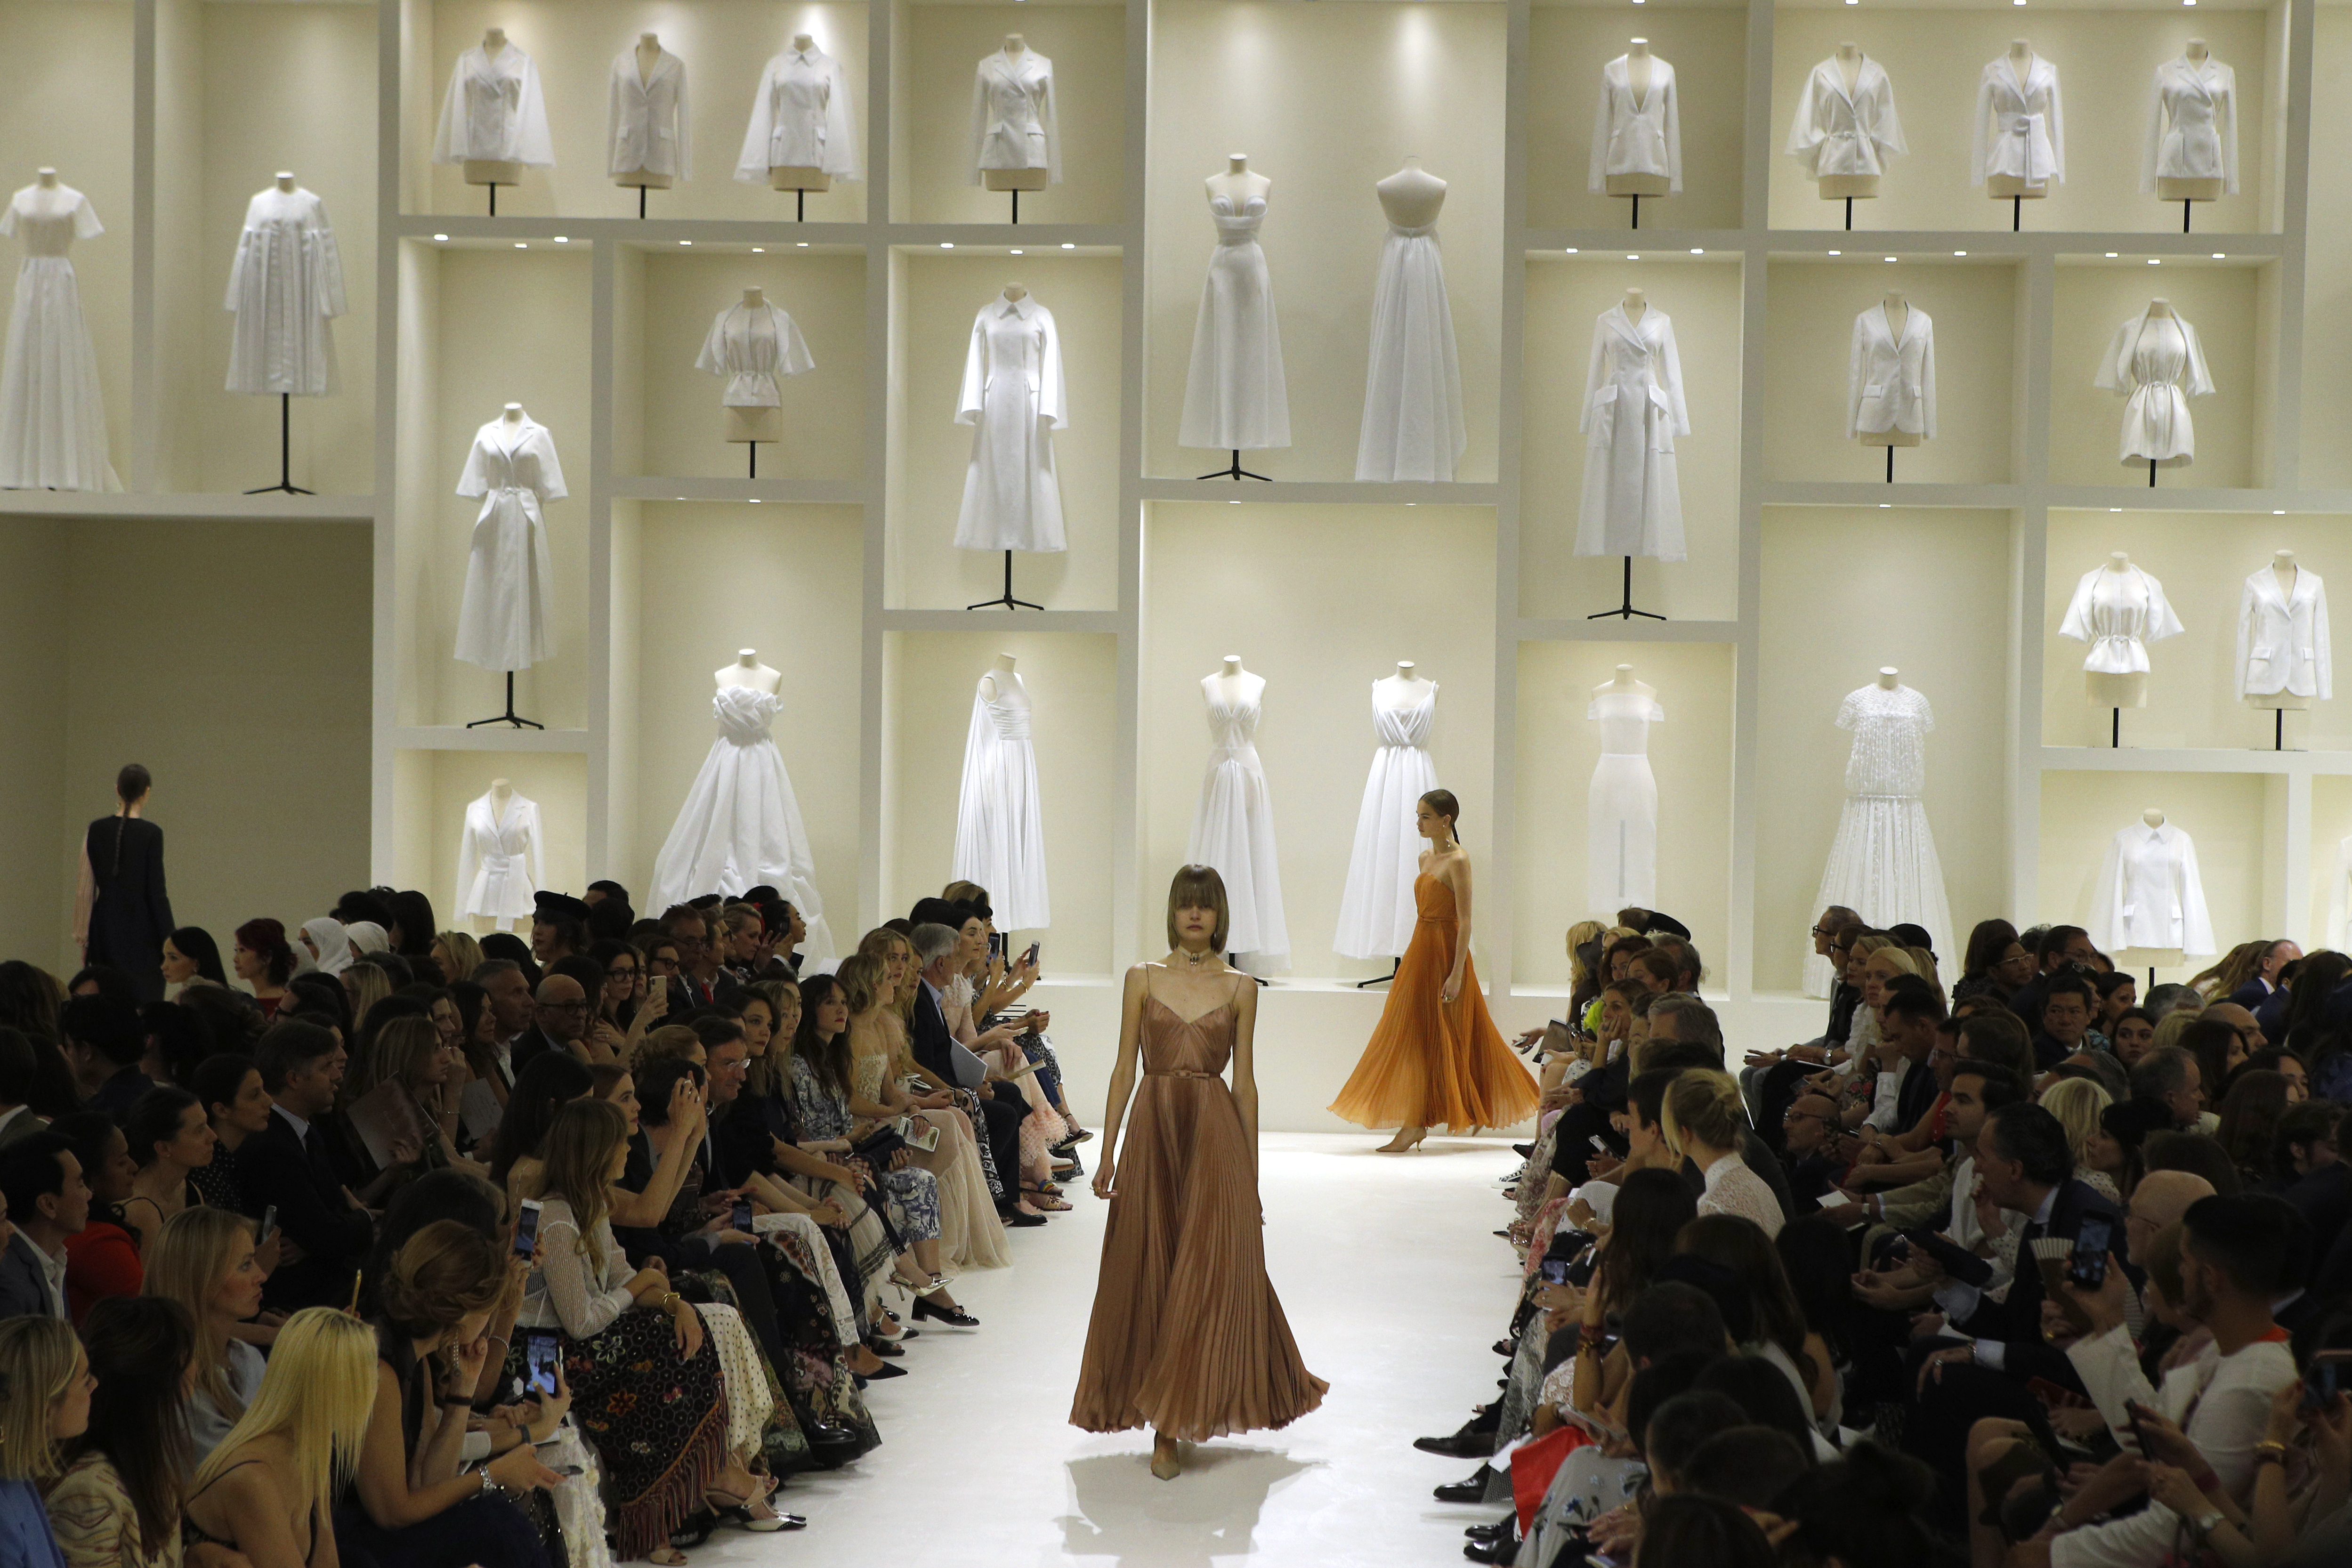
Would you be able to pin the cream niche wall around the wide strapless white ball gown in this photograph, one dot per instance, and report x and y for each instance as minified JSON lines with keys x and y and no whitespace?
{"x":780,"y":579}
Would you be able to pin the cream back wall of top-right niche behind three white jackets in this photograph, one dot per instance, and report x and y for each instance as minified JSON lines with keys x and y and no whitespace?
{"x":2106,"y":72}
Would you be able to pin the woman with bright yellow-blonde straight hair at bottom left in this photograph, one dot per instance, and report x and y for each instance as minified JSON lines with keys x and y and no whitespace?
{"x":272,"y":1485}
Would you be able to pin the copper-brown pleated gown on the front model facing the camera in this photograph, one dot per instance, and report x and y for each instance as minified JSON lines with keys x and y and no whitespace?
{"x":1189,"y":1336}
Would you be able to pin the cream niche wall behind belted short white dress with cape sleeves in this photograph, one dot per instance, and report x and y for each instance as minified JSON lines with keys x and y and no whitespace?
{"x":2087,"y":422}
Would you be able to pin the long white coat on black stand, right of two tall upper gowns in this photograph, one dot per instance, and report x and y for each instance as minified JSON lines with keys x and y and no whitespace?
{"x":1633,"y":415}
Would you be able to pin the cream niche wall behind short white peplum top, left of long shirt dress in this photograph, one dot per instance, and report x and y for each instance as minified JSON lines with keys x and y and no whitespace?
{"x":824,"y":410}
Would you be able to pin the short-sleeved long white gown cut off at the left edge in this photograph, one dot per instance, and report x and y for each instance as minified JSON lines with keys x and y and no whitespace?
{"x":53,"y":415}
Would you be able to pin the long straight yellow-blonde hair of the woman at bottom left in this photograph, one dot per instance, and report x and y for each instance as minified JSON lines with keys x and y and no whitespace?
{"x":319,"y":1393}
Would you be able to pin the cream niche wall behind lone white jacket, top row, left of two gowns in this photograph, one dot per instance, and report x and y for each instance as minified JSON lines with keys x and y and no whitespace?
{"x":1088,"y":46}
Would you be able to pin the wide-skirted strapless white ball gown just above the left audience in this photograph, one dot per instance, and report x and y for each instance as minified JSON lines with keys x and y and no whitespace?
{"x":742,"y":826}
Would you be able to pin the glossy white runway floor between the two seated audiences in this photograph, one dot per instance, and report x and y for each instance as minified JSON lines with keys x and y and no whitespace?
{"x":1394,"y":1287}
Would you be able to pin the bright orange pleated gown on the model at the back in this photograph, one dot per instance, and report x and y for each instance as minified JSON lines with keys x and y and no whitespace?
{"x":1436,"y":1064}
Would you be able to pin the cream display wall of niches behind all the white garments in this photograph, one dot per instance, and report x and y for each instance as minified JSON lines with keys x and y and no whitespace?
{"x":1805,"y":575}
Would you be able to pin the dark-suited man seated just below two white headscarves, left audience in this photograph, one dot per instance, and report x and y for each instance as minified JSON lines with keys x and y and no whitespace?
{"x":288,"y":1167}
